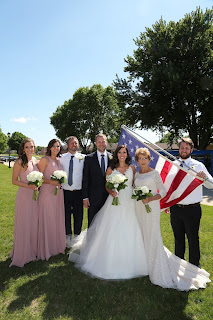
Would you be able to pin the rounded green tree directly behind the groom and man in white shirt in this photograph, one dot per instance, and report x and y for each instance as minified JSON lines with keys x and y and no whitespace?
{"x":90,"y":111}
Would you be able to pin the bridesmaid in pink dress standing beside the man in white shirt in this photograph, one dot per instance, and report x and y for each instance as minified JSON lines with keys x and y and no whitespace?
{"x":51,"y":233}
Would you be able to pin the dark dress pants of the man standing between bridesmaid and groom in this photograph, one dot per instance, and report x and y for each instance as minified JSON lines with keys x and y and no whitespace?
{"x":73,"y":203}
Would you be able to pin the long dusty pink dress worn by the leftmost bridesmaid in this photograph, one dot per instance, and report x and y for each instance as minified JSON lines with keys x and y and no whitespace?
{"x":25,"y":246}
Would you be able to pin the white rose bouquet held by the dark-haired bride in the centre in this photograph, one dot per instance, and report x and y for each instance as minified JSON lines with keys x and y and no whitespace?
{"x":116,"y":181}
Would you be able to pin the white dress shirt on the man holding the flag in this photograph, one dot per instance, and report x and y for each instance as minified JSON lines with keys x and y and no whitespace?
{"x":197,"y":194}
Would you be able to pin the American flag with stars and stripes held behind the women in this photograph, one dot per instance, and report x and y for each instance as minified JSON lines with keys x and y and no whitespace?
{"x":179,"y":182}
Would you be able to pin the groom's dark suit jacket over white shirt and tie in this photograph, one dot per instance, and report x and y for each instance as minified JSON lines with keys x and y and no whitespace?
{"x":93,"y":186}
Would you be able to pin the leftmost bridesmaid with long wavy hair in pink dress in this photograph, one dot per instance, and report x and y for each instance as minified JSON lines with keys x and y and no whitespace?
{"x":25,"y":246}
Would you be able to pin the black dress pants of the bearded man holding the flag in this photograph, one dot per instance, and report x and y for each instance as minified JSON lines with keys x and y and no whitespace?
{"x":186,"y":220}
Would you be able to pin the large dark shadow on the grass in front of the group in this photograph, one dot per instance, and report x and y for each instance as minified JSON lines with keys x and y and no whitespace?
{"x":66,"y":292}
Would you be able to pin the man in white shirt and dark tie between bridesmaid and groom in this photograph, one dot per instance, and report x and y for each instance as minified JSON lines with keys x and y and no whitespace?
{"x":73,"y":163}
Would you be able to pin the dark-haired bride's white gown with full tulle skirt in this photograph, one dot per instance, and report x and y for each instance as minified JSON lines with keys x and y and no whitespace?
{"x":112,"y":248}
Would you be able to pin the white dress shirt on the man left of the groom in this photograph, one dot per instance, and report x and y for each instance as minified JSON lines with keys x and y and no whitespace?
{"x":78,"y":165}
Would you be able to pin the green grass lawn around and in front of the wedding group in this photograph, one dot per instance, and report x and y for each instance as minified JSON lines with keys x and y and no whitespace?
{"x":55,"y":289}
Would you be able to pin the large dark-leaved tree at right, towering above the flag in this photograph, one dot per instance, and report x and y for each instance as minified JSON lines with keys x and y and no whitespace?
{"x":170,"y":81}
